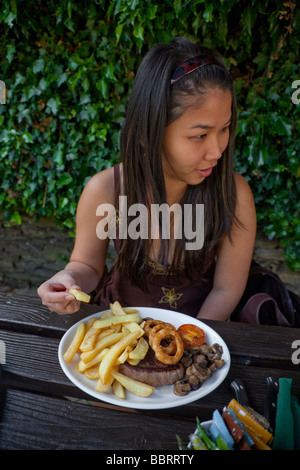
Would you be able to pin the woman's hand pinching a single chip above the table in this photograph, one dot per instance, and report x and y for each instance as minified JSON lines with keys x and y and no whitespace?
{"x":55,"y":293}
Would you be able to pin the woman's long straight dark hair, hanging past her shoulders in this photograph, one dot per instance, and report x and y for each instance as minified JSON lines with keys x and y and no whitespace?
{"x":154,"y":104}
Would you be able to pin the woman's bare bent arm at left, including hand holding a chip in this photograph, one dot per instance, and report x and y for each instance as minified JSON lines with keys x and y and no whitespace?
{"x":87,"y":261}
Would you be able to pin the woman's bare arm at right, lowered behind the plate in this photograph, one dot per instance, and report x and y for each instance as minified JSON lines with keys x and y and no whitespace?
{"x":234,"y":259}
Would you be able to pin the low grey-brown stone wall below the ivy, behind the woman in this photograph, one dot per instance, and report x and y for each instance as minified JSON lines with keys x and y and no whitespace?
{"x":32,"y":252}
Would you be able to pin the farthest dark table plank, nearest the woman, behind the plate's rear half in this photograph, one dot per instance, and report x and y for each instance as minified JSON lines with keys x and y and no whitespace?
{"x":248,"y":344}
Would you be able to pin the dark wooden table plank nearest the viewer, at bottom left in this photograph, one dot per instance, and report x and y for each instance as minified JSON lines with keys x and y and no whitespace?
{"x":35,"y":422}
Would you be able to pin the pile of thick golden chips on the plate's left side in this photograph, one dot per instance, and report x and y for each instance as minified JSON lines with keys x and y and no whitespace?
{"x":104,"y":343}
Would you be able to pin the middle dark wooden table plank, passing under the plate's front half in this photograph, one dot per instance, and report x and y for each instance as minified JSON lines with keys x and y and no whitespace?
{"x":32,"y":364}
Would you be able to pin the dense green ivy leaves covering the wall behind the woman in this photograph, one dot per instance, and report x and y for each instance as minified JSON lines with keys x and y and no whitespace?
{"x":68,"y":67}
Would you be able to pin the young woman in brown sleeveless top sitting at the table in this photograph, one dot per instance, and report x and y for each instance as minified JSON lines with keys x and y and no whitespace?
{"x":177,"y":148}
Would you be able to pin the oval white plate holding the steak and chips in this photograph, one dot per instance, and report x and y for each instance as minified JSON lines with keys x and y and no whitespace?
{"x":163,"y":396}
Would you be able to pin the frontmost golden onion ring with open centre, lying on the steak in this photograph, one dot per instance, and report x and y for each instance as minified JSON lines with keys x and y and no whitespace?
{"x":160,"y":353}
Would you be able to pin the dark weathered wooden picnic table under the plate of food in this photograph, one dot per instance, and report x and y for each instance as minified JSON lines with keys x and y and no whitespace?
{"x":41,"y":409}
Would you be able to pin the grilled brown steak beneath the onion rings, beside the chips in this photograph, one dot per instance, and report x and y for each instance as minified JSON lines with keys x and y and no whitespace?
{"x":152,"y":372}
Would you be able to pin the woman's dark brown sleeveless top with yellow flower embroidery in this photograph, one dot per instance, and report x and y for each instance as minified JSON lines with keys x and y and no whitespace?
{"x":166,"y":288}
